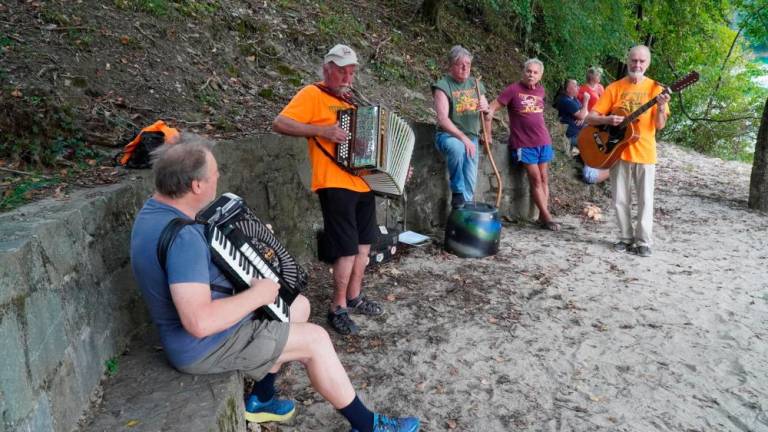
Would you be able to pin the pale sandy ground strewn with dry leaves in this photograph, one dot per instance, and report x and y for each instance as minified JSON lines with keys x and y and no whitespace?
{"x":559,"y":333}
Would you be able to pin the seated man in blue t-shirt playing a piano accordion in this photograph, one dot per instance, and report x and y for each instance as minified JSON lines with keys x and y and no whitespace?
{"x":205,"y":327}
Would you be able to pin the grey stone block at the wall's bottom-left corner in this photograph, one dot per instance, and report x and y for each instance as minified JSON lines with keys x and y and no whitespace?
{"x":16,"y":391}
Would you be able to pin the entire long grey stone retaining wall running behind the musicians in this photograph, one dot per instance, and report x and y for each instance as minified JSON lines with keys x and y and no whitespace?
{"x":68,"y":301}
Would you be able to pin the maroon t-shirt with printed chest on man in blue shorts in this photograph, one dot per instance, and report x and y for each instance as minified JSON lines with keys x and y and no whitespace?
{"x":526,"y":115}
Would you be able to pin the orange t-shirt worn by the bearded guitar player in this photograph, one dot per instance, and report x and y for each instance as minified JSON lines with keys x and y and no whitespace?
{"x":623,"y":93}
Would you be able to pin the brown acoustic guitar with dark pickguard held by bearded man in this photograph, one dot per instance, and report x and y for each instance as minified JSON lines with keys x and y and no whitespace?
{"x":601,"y":146}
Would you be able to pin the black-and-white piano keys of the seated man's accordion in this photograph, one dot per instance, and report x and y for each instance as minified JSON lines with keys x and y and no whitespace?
{"x":241,"y":261}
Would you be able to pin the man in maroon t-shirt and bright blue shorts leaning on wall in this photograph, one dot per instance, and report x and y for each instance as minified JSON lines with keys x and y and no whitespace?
{"x":529,"y":140}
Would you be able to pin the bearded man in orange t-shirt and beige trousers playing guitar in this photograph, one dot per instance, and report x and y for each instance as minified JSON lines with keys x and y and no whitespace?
{"x":638,"y":161}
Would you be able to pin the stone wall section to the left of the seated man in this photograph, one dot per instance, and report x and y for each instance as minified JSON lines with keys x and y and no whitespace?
{"x":67,"y":302}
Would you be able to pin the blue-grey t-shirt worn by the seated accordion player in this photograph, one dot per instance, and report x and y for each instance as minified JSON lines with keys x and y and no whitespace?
{"x":188,"y":260}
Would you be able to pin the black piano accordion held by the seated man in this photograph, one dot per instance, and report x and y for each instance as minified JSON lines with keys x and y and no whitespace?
{"x":244,"y":248}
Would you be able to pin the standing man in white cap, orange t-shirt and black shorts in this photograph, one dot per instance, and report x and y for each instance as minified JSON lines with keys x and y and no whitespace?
{"x":348,"y":205}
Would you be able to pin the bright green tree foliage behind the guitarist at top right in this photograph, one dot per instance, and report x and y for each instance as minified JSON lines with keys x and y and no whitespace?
{"x":703,"y":35}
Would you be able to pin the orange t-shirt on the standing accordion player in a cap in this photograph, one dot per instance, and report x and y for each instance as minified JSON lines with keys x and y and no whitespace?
{"x":313,"y":106}
